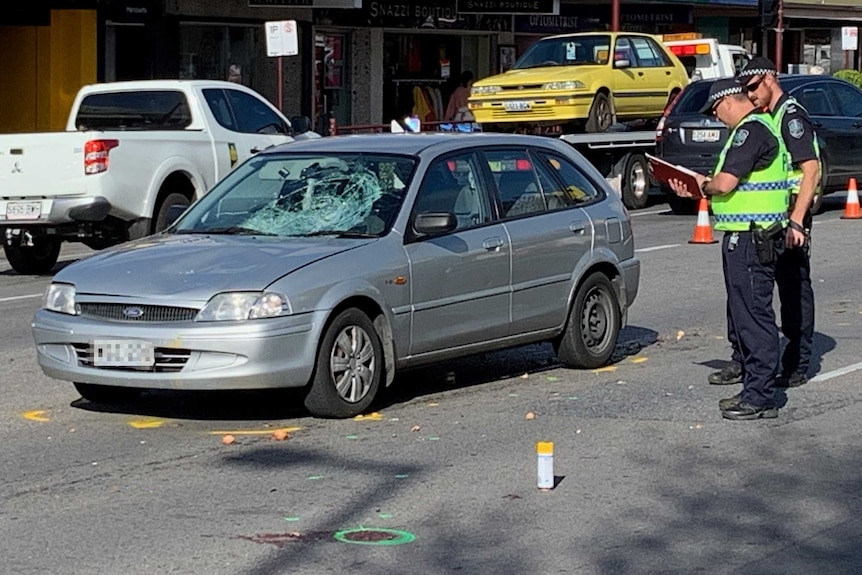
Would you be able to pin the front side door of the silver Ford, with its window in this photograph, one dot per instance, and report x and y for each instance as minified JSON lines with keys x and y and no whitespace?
{"x":459,"y":280}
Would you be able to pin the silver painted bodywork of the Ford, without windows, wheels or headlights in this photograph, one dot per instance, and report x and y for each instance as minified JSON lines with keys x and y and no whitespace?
{"x":504,"y":283}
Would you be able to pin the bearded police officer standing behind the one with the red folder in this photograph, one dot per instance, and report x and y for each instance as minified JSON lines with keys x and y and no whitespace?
{"x":793,"y":267}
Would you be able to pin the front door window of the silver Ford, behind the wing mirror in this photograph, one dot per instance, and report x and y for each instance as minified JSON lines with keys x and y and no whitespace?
{"x":454,"y":185}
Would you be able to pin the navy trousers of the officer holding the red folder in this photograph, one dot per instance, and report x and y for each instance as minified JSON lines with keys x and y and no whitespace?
{"x":750,"y":286}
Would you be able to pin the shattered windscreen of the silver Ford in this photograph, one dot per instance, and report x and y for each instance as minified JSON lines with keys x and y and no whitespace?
{"x":342,"y":195}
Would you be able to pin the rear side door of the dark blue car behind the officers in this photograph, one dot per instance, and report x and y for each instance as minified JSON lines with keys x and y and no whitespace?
{"x":835,"y":131}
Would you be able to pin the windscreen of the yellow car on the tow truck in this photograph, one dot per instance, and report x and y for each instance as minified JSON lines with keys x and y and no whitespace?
{"x":566,"y":51}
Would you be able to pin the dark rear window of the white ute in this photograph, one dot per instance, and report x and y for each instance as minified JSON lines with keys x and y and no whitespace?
{"x":144,"y":110}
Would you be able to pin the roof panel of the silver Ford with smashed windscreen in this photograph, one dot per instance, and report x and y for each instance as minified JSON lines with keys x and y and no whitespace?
{"x":409,"y":144}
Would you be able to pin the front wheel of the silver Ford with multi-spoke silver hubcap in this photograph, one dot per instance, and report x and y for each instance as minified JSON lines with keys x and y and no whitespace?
{"x":348,"y":369}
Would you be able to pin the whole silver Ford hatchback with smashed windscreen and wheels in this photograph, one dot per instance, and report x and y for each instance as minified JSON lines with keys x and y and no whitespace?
{"x":329,"y":264}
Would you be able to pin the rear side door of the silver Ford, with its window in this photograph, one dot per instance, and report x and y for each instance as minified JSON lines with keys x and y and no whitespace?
{"x":548,"y":235}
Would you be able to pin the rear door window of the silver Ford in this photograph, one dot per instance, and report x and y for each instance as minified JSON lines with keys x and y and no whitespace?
{"x":516,"y":181}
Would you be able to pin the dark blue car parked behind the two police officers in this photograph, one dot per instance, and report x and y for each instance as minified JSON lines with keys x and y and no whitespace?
{"x":694,"y":140}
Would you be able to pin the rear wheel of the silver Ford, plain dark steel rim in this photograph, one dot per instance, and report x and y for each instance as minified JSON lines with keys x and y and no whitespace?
{"x":593,"y":325}
